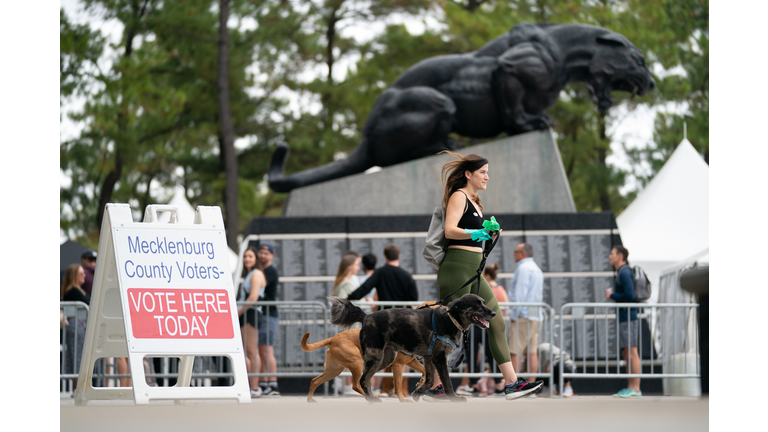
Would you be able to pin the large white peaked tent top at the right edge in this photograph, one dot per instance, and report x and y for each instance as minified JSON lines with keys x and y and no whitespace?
{"x":668,"y":222}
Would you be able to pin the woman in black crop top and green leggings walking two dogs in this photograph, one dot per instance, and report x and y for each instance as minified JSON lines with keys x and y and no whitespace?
{"x":462,"y":179}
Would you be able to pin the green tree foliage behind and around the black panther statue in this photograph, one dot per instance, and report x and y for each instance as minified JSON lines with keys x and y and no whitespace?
{"x":151,"y":116}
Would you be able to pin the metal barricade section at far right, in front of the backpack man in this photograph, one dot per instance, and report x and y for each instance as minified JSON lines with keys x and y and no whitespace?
{"x":598,"y":356}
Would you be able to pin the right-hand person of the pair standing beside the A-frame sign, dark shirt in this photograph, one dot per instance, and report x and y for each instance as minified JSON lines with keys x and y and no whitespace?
{"x":268,"y":321}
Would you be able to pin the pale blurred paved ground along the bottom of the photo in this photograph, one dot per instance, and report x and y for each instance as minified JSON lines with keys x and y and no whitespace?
{"x":293,"y":413}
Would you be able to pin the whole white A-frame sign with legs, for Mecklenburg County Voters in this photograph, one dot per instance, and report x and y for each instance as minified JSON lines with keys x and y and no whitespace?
{"x":170,"y":287}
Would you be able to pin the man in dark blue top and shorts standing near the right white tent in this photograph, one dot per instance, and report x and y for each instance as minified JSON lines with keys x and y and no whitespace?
{"x":629,"y":328}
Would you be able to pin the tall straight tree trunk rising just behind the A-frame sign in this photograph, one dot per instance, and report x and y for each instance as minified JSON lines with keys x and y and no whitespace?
{"x":227,"y":132}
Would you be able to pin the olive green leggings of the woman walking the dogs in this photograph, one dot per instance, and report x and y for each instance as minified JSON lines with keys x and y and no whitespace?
{"x":458,"y":267}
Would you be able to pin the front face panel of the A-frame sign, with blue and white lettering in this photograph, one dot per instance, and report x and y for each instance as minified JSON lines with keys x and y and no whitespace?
{"x":178,"y":289}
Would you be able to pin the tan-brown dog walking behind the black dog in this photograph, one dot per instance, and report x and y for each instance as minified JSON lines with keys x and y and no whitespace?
{"x":344,"y":352}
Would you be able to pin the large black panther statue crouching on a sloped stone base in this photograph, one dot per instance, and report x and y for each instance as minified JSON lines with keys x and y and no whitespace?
{"x":505,"y":86}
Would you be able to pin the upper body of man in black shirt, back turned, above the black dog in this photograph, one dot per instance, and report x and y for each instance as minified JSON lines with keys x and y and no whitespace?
{"x":392,"y":283}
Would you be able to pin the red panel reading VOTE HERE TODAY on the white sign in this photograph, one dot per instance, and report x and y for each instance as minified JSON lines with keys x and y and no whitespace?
{"x":158,"y":313}
